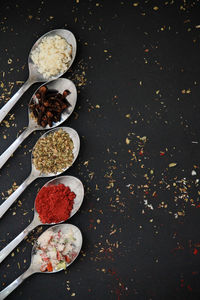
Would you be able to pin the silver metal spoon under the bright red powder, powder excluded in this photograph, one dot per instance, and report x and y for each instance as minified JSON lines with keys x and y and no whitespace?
{"x":74,"y":184}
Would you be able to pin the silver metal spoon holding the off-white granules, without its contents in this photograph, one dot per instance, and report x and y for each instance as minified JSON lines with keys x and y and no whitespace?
{"x":34,"y":75}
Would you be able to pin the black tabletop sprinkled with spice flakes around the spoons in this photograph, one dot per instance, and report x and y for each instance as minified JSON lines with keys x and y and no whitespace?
{"x":137,"y":72}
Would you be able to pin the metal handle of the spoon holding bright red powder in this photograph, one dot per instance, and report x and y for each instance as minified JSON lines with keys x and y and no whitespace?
{"x":14,"y":243}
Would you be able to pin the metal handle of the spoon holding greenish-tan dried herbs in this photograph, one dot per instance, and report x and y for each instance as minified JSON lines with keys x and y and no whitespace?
{"x":9,"y":201}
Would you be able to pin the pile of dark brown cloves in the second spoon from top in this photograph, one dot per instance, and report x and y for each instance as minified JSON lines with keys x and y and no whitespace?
{"x":47,"y":106}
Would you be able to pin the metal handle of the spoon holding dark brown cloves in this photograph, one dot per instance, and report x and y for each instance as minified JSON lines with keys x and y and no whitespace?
{"x":11,"y":149}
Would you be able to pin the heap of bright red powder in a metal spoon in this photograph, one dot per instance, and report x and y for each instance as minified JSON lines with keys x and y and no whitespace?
{"x":54,"y":203}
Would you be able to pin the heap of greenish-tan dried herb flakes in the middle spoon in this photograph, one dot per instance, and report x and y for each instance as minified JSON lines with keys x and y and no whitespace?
{"x":54,"y":152}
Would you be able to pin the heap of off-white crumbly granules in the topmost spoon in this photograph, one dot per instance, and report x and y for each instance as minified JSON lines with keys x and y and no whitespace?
{"x":52,"y":56}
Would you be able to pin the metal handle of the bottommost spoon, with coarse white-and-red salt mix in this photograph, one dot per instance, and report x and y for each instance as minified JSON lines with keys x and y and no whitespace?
{"x":11,"y":287}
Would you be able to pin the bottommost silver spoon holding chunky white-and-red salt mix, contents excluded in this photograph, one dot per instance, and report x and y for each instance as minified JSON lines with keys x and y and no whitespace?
{"x":35,"y":267}
